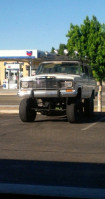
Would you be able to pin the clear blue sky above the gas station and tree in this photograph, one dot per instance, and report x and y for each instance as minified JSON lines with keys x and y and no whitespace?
{"x":43,"y":24}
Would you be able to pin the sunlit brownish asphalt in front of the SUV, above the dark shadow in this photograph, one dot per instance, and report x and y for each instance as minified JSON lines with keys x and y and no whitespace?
{"x":54,"y":138}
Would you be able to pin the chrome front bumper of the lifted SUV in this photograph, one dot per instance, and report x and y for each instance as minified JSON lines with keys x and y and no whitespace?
{"x":48,"y":93}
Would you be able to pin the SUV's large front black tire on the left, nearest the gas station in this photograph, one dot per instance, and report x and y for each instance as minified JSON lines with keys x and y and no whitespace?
{"x":26,"y":113}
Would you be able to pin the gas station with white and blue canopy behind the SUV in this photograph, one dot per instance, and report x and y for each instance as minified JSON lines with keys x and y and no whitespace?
{"x":15,"y":64}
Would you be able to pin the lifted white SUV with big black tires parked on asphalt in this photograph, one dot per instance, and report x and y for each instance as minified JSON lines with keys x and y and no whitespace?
{"x":66,"y":86}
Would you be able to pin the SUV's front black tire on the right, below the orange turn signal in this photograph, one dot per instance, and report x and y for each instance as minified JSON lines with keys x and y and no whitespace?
{"x":74,"y":111}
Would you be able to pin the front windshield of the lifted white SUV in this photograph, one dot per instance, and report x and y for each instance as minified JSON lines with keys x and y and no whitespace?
{"x":68,"y":68}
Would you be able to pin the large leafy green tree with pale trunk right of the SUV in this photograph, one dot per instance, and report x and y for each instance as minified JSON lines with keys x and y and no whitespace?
{"x":88,"y":40}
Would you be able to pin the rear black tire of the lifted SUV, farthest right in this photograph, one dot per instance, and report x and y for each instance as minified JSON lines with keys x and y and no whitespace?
{"x":89,"y":106}
